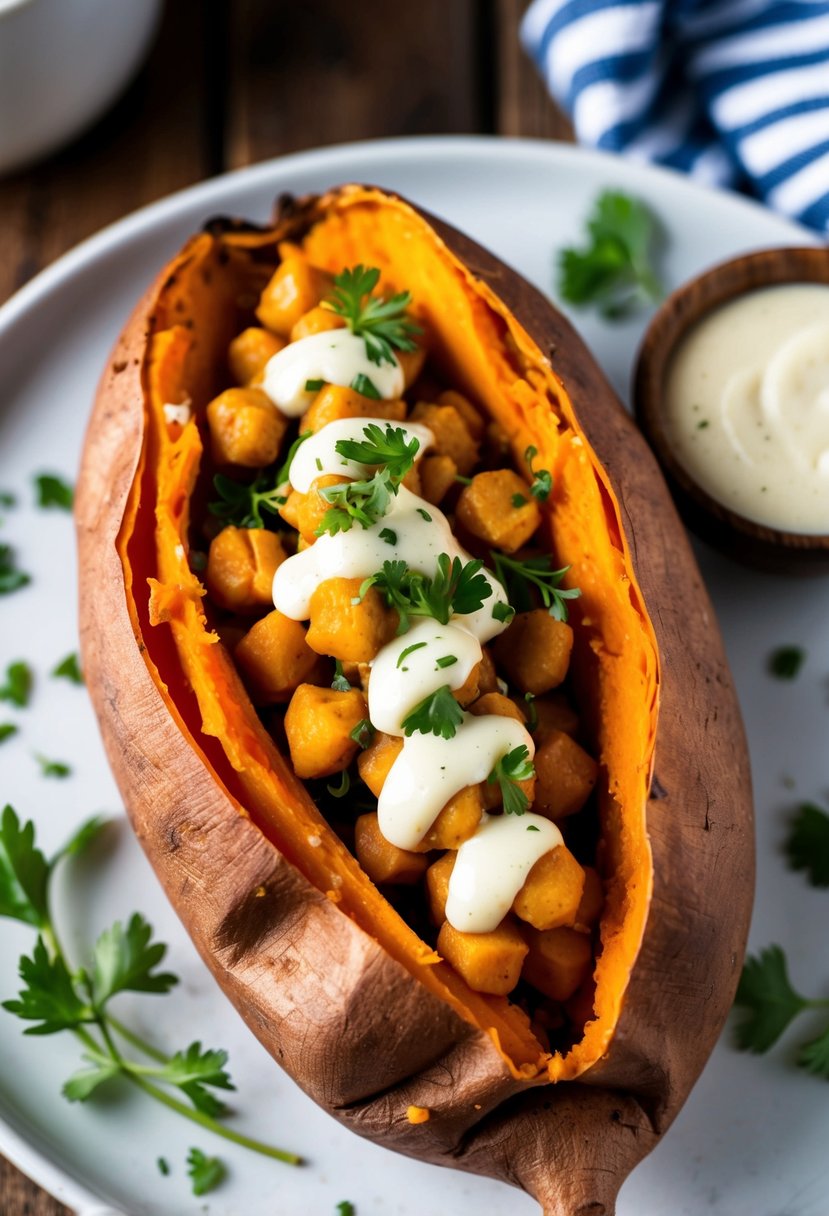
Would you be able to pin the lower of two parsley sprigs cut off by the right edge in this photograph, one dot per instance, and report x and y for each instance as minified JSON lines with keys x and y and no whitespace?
{"x":771,"y":1005}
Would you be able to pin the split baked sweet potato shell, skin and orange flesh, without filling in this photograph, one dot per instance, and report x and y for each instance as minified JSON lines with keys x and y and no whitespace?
{"x":311,"y":953}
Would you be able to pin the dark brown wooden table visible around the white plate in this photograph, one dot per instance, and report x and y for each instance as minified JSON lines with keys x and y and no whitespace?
{"x":234,"y":82}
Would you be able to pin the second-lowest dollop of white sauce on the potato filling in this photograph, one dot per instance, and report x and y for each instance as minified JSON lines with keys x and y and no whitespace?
{"x":431,"y":770}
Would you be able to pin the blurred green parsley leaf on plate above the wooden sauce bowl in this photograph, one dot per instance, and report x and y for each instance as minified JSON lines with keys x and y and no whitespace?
{"x":614,"y":272}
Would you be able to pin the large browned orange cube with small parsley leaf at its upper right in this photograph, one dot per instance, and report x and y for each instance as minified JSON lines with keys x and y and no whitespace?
{"x":488,"y":510}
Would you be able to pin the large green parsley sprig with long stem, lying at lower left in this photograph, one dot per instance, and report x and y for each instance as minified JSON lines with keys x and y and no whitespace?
{"x":57,"y":997}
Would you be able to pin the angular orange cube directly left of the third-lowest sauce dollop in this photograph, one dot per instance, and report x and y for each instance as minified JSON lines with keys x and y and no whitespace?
{"x":319,"y":724}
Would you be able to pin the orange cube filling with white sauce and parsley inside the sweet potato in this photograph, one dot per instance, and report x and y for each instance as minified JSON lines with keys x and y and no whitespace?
{"x":373,"y":570}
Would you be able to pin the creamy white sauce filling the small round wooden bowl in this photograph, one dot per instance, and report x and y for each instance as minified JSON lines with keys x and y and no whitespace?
{"x":747,"y":406}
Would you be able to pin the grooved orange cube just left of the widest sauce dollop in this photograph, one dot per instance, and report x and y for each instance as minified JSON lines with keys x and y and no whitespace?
{"x":241,"y":567}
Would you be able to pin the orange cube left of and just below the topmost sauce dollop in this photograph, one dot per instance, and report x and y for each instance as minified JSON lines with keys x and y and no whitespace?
{"x":246,"y":429}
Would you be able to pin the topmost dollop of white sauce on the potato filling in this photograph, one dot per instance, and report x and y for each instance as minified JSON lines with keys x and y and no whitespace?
{"x":336,"y":357}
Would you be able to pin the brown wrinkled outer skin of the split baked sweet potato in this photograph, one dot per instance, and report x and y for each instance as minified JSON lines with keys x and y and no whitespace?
{"x":274,"y":942}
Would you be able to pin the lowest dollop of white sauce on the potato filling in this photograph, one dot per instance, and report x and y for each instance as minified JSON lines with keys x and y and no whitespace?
{"x":493,"y":866}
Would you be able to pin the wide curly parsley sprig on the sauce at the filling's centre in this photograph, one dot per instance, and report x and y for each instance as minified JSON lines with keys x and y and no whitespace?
{"x":456,"y":588}
